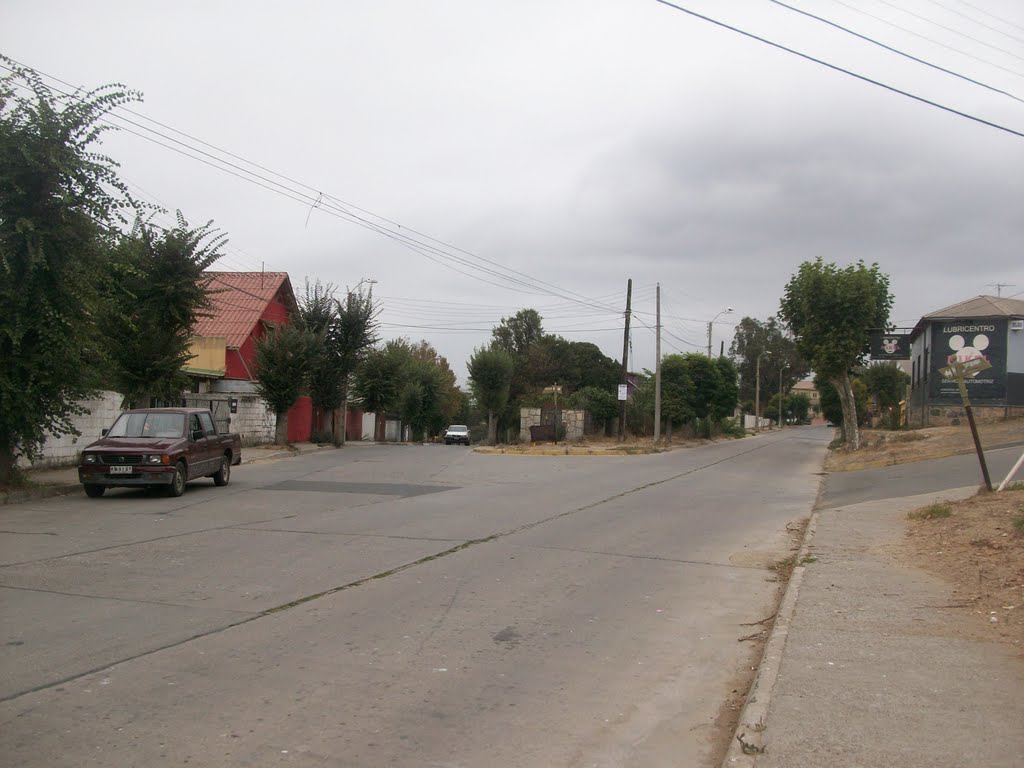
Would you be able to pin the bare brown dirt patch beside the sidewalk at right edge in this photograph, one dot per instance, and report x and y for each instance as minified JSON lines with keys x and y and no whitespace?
{"x":977,"y":544}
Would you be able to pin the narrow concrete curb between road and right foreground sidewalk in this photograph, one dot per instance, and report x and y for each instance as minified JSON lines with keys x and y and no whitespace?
{"x":754,"y":716}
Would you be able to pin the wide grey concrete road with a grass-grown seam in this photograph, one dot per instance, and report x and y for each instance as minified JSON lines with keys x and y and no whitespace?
{"x":398,"y":607}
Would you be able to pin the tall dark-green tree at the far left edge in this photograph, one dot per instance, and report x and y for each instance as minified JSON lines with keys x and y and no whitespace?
{"x":60,"y":202}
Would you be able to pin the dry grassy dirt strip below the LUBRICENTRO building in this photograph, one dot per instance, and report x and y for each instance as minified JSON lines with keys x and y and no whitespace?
{"x":883,"y":448}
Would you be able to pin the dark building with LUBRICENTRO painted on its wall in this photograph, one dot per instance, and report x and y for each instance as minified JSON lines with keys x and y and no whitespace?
{"x":986,"y":327}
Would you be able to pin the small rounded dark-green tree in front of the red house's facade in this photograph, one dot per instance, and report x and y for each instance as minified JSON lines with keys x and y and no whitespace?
{"x":282,"y":368}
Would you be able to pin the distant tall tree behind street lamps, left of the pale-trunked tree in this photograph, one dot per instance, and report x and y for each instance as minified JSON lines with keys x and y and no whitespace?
{"x":778,"y":351}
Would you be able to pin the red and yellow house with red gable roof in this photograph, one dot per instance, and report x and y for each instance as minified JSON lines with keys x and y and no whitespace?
{"x":245,"y":308}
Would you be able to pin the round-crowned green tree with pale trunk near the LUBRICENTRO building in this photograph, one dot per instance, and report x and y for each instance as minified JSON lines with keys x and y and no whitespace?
{"x":832,"y":312}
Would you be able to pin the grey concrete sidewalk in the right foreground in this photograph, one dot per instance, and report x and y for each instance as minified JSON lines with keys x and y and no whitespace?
{"x":868,"y":665}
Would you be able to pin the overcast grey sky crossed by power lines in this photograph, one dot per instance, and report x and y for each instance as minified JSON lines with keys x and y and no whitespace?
{"x":568,"y":146}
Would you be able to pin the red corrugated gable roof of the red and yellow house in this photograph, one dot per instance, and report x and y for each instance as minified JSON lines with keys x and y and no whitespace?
{"x":239,"y":301}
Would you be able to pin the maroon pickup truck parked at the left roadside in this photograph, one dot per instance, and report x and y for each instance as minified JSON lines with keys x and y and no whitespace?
{"x":159,"y":447}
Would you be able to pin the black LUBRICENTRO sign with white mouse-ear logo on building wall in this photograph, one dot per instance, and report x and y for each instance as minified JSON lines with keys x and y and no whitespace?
{"x":963,"y":340}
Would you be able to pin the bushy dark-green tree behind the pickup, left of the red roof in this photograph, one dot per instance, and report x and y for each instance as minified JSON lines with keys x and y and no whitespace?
{"x":157,"y":302}
